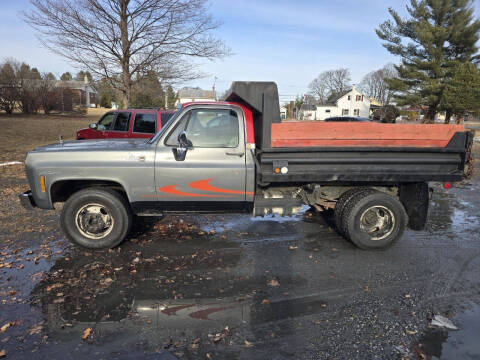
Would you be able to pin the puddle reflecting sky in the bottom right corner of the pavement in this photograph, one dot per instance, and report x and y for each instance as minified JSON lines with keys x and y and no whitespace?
{"x":461,"y":344}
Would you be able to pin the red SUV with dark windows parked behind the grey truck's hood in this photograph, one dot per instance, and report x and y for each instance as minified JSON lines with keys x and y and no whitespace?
{"x":131,"y":123}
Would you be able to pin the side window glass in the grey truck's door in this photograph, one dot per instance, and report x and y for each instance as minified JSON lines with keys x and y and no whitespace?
{"x":212,"y":128}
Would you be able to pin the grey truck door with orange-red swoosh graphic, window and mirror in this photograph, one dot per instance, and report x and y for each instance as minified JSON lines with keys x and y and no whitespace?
{"x":211,"y":176}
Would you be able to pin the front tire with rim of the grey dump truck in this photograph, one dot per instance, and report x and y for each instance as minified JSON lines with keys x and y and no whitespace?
{"x":96,"y":218}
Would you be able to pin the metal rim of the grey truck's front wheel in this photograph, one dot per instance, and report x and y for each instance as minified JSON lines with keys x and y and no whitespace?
{"x":94,"y":221}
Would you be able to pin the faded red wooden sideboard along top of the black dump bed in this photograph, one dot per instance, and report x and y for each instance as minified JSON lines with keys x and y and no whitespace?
{"x":330,"y":134}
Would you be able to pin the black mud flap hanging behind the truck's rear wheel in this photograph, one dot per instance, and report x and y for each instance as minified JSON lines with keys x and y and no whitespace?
{"x":415,"y":198}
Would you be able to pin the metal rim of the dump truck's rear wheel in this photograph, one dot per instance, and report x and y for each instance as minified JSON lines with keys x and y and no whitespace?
{"x":378,"y":222}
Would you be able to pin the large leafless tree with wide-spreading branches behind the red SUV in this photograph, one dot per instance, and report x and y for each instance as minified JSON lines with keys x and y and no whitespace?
{"x":118,"y":39}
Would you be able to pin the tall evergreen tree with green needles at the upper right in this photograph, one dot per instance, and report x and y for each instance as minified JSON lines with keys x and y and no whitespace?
{"x":437,"y":36}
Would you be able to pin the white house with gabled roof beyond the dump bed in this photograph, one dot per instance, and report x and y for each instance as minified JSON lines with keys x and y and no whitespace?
{"x":349,"y":103}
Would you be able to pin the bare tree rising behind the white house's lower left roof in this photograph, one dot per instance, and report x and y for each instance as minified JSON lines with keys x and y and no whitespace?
{"x":329,"y":83}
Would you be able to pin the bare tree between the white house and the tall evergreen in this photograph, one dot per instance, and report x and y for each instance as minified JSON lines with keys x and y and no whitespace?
{"x":374,"y":85}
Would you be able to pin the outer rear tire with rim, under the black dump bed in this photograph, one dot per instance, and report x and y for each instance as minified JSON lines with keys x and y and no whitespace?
{"x":374,"y":220}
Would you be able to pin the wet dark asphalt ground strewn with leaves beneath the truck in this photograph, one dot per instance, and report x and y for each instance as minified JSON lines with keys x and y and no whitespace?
{"x":233,"y":287}
